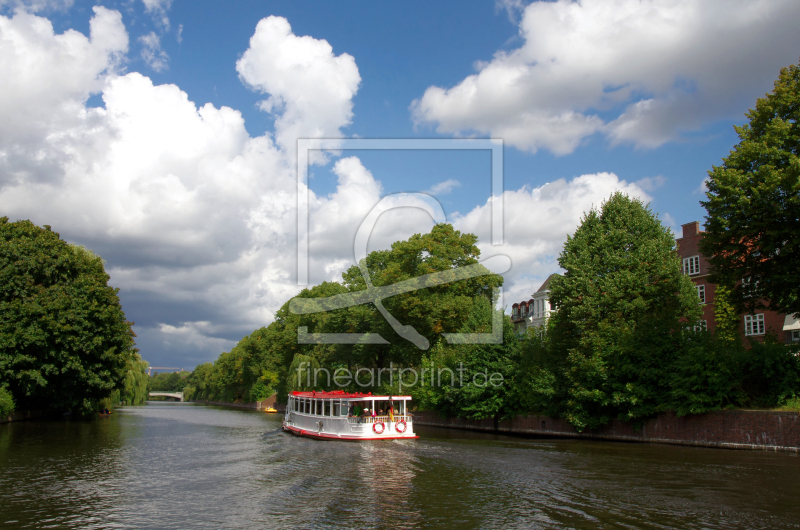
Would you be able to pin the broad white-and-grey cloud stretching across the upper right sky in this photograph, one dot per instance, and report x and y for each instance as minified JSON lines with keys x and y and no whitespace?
{"x":658,"y":68}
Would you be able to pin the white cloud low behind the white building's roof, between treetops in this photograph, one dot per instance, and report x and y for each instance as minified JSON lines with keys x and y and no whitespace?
{"x":537,"y":222}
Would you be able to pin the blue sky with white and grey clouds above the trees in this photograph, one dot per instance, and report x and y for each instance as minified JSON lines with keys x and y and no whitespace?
{"x":162,"y":134}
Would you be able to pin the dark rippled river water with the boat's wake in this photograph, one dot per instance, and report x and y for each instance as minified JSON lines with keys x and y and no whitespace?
{"x":181,"y":465}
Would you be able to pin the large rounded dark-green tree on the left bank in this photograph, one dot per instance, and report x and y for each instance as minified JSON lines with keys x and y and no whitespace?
{"x":64,"y":340}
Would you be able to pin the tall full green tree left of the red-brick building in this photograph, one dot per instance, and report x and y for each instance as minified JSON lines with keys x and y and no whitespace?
{"x":622,"y":305}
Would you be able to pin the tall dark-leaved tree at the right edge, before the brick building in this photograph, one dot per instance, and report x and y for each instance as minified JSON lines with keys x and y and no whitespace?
{"x":753,"y":221}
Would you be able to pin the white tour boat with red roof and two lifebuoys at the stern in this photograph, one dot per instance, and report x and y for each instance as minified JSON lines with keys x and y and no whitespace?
{"x":335,"y":416}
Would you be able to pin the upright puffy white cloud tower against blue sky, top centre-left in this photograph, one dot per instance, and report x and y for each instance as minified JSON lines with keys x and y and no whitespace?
{"x":310,"y":88}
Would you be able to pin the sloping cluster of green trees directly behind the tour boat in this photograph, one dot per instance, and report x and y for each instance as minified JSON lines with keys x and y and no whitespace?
{"x":235,"y":375}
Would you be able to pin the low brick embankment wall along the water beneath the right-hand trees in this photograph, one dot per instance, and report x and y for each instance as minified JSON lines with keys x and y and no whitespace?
{"x":734,"y":429}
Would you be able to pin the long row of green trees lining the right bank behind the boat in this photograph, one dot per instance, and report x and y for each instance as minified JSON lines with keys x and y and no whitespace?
{"x":623,"y":342}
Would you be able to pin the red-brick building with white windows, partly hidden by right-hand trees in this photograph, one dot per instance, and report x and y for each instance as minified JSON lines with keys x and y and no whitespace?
{"x":752,"y":326}
